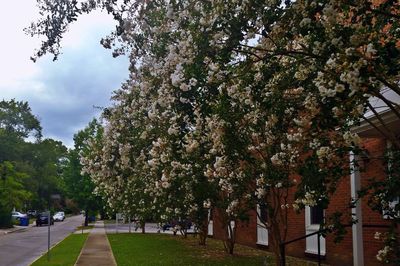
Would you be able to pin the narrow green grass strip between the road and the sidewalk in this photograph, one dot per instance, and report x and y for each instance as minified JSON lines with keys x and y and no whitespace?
{"x":65,"y":253}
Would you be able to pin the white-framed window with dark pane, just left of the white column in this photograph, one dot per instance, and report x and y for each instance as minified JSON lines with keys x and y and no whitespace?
{"x":314,"y":217}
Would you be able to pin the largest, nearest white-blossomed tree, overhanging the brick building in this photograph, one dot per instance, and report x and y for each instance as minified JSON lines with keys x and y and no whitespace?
{"x":251,"y":92}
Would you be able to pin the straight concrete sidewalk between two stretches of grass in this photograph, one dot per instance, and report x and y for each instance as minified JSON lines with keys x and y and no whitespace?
{"x":97,"y":249}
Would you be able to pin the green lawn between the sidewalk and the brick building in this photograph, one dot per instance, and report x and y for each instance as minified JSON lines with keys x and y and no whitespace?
{"x":155,"y":249}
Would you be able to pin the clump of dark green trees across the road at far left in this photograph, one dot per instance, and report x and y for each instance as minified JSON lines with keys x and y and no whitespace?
{"x":34,"y":166}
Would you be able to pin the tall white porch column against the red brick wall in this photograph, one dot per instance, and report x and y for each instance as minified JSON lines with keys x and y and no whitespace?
{"x":358,"y":244}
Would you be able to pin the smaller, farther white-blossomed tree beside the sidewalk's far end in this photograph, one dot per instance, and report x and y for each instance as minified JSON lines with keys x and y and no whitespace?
{"x":116,"y":162}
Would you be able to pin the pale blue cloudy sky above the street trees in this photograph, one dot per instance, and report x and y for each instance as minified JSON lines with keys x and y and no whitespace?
{"x":61,"y":93}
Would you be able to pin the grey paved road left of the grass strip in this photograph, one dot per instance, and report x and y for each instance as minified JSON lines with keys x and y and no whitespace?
{"x":23,"y":247}
